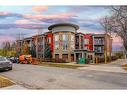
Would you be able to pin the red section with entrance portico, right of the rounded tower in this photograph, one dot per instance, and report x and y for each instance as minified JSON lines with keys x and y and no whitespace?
{"x":84,"y":47}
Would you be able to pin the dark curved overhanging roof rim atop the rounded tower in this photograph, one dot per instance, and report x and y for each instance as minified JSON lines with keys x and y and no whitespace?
{"x":62,"y":24}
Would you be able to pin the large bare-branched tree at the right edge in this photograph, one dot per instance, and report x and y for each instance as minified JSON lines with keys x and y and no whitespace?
{"x":117,"y":23}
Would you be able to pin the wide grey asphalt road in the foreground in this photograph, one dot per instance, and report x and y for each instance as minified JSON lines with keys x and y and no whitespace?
{"x":39,"y":77}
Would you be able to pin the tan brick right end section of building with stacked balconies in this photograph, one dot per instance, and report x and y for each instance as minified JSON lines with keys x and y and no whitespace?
{"x":102,"y":45}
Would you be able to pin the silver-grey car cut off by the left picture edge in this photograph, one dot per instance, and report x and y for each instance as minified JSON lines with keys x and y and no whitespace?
{"x":5,"y":64}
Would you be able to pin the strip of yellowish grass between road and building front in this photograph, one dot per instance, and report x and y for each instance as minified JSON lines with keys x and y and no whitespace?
{"x":61,"y":65}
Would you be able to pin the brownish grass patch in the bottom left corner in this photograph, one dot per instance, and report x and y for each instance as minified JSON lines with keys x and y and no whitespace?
{"x":4,"y":82}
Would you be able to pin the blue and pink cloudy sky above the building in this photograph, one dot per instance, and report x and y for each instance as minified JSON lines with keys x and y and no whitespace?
{"x":29,"y":19}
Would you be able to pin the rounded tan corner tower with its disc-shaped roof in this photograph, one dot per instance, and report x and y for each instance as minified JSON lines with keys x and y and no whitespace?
{"x":64,"y":41}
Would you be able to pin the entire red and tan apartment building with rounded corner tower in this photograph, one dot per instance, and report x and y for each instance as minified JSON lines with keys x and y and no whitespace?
{"x":62,"y":41}
